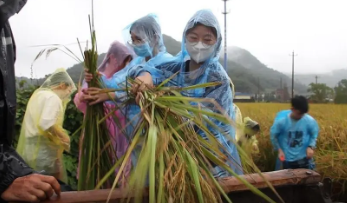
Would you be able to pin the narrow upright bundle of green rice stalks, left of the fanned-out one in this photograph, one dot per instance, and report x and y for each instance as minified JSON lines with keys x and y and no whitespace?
{"x":97,"y":152}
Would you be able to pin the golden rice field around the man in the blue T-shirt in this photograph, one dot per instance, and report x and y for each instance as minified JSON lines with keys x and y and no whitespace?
{"x":330,"y":155}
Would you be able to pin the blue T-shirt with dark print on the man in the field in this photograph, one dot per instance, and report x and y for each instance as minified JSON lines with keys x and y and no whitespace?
{"x":293,"y":136}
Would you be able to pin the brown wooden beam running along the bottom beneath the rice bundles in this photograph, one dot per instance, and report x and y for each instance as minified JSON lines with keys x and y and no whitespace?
{"x":230,"y":184}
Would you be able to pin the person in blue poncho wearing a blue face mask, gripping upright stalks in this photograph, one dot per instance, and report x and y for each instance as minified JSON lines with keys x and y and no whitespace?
{"x":145,"y":38}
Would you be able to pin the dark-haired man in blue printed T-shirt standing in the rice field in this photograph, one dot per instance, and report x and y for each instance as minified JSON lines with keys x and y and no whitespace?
{"x":293,"y":135}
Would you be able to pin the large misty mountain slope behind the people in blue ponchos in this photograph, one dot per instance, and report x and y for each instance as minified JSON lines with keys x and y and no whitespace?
{"x":244,"y":69}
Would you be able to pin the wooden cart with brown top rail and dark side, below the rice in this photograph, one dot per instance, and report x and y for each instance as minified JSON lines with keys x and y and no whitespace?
{"x":294,"y":186}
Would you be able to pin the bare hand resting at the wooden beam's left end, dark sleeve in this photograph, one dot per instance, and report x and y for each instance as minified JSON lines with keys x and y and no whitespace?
{"x":31,"y":188}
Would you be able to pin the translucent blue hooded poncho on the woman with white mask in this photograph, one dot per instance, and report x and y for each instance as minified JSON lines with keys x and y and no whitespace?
{"x":210,"y":71}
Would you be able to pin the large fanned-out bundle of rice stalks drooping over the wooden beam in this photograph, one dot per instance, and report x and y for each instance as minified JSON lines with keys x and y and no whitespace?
{"x":175,"y":162}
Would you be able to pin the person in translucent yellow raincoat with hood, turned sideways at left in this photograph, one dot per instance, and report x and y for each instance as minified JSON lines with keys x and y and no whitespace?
{"x":42,"y":139}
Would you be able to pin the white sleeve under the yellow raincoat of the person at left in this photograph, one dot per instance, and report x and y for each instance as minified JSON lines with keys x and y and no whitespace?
{"x":50,"y":111}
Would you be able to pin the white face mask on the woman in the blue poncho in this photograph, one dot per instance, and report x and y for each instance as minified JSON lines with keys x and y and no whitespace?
{"x":199,"y":52}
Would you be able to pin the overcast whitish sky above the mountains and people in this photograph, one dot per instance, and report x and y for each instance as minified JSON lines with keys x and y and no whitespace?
{"x":269,"y":29}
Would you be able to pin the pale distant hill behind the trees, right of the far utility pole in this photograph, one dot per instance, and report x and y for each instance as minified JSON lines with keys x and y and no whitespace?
{"x":331,"y":79}
